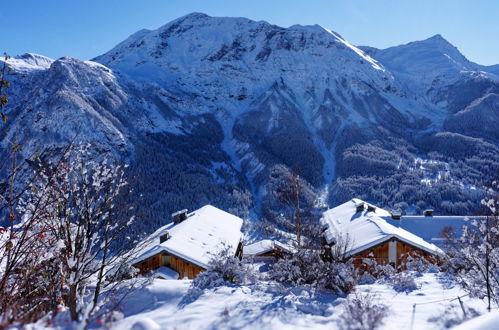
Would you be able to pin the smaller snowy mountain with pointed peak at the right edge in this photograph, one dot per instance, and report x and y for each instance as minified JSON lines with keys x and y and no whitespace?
{"x":435,"y":70}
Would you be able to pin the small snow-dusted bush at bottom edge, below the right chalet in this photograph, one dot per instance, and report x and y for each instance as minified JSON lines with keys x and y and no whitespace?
{"x":363,"y":312}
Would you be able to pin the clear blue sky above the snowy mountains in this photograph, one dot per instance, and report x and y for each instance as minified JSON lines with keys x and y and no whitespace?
{"x":87,"y":28}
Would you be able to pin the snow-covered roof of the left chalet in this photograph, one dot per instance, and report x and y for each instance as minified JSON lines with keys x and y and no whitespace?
{"x":195,"y":239}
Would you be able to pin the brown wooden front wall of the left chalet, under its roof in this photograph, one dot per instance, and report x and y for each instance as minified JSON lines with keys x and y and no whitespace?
{"x":181,"y":266}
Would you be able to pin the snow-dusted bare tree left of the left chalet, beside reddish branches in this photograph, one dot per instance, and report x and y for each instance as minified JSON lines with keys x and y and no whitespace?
{"x":92,"y":215}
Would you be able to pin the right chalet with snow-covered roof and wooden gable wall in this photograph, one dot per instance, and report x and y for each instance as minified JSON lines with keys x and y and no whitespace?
{"x":370,"y":235}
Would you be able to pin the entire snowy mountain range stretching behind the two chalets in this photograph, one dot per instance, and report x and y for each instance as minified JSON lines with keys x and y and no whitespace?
{"x":212,"y":110}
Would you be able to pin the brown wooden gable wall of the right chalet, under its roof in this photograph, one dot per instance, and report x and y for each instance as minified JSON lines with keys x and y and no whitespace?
{"x":393,"y":252}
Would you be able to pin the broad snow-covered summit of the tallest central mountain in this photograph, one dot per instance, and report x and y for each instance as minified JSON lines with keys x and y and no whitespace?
{"x":224,"y":57}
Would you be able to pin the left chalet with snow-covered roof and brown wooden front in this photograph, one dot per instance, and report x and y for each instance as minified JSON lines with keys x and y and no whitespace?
{"x":184,"y":247}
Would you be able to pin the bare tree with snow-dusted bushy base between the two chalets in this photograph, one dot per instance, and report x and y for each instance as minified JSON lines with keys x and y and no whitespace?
{"x":312,"y":262}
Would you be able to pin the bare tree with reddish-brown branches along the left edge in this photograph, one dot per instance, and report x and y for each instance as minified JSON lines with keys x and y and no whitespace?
{"x":27,"y":278}
